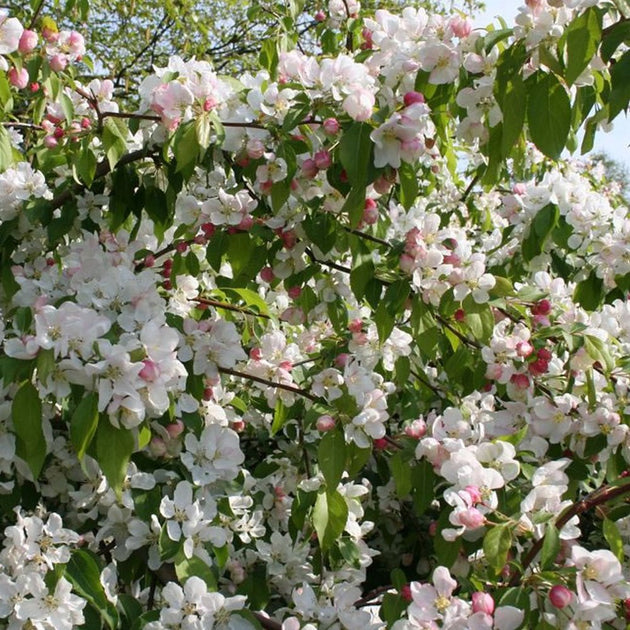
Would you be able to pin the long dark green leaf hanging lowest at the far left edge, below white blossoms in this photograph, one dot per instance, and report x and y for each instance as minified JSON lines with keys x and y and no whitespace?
{"x":26,"y":413}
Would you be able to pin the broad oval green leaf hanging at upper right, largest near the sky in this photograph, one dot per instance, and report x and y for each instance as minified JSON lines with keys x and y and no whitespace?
{"x":548,"y":113}
